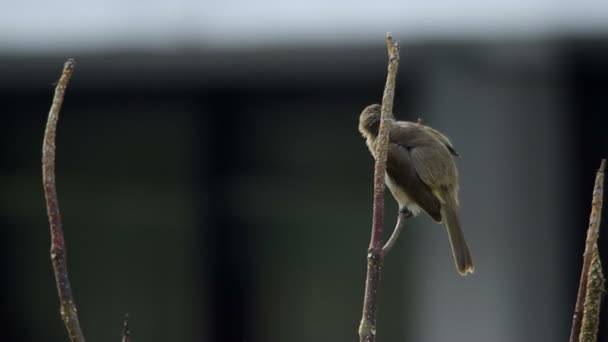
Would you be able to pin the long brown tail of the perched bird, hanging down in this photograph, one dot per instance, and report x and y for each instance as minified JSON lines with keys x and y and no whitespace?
{"x":460,"y":250}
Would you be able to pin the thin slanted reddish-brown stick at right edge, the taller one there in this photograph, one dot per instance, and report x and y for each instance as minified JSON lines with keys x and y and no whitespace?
{"x":593,"y":233}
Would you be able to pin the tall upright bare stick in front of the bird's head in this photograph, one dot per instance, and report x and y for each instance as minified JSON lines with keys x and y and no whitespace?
{"x":367,"y":328}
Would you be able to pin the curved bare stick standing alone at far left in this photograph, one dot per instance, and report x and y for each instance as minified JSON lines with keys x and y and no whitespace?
{"x":68,"y":310}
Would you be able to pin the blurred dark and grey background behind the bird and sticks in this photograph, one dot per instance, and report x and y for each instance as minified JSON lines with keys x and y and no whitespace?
{"x":213,"y":183}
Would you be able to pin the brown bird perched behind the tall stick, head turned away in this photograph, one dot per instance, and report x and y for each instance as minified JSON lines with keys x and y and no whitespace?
{"x":421,"y":175}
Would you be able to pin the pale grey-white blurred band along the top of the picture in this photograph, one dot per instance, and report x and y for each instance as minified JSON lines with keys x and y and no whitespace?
{"x":46,"y":26}
